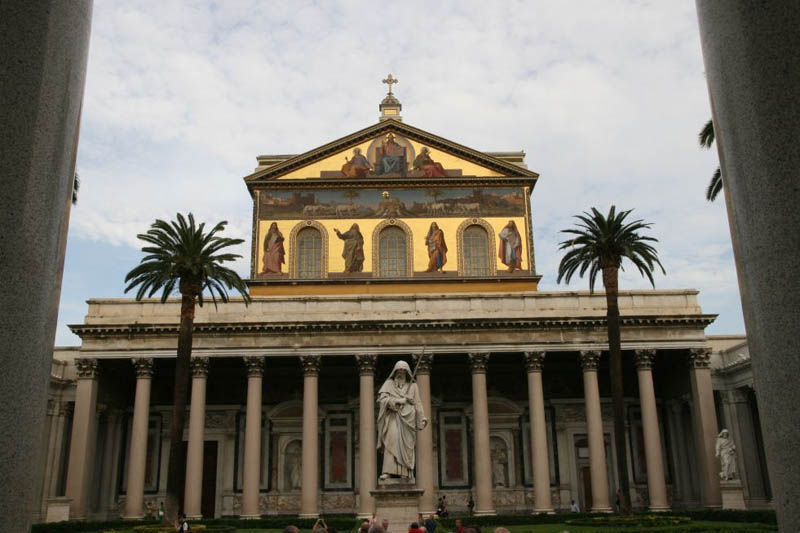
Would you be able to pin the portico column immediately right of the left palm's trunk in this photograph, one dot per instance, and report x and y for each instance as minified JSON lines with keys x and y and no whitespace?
{"x":193,"y":491}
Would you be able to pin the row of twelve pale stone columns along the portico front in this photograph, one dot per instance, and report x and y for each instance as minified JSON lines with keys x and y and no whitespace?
{"x":704,"y":418}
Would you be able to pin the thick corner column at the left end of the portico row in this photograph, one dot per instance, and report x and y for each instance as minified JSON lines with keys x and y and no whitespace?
{"x":84,"y":425}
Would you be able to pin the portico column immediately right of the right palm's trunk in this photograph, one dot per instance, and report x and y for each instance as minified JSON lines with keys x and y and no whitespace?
{"x":656,"y":483}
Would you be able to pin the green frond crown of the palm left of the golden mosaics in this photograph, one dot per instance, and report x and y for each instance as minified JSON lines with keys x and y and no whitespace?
{"x":181,"y":253}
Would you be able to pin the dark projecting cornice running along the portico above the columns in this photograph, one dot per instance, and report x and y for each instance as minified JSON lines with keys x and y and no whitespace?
{"x":477,"y":323}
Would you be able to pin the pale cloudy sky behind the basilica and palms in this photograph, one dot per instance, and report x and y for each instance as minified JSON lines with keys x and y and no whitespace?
{"x":605,"y":98}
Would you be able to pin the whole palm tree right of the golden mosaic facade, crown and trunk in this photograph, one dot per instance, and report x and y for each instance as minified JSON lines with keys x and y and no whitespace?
{"x":600,"y":243}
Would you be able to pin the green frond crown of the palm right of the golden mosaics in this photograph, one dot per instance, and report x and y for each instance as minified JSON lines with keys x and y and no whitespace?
{"x":598,"y":241}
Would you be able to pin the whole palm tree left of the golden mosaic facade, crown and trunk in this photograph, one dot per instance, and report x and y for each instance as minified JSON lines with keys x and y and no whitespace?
{"x":181,"y":254}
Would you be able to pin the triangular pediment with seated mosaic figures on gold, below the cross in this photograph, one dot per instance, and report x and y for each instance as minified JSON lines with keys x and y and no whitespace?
{"x":389,"y":149}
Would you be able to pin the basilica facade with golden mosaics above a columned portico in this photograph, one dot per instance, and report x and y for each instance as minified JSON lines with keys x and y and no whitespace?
{"x":396,"y":244}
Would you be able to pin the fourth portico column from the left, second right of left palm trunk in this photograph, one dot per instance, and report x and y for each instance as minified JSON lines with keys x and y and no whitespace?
{"x":251,"y":471}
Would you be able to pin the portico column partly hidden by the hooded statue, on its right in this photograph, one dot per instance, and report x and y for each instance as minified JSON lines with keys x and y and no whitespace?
{"x":424,"y":475}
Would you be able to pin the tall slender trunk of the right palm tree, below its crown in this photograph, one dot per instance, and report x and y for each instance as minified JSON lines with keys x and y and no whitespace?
{"x":610,"y":282}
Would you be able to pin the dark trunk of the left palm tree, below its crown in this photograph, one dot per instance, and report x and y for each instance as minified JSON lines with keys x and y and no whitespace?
{"x":176,"y":459}
